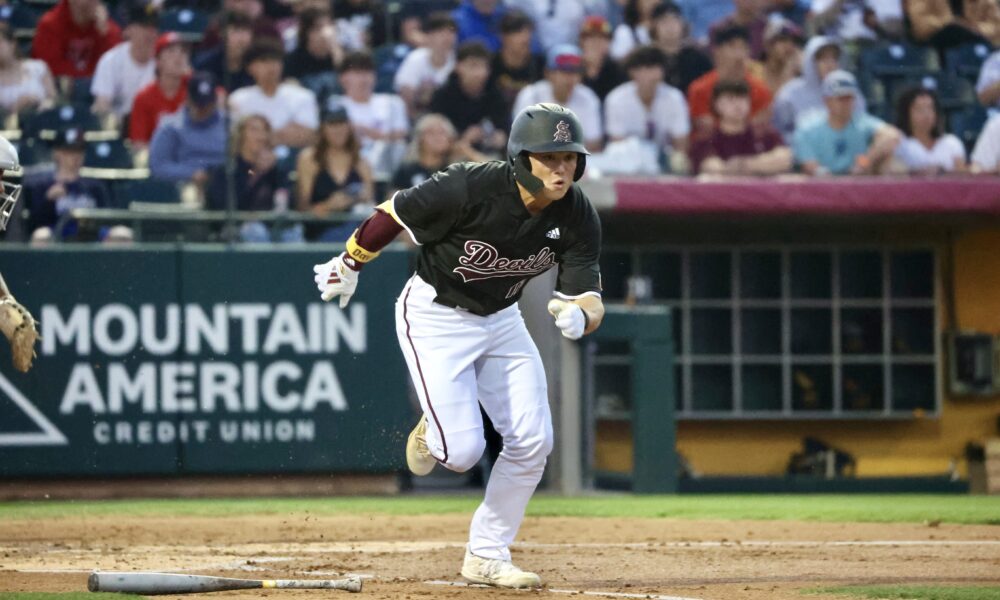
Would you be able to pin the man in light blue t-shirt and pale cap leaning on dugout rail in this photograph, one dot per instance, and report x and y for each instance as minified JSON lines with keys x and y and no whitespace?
{"x":843,"y":141}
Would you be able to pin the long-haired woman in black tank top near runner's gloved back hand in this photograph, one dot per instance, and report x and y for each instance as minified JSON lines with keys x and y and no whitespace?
{"x":333,"y":178}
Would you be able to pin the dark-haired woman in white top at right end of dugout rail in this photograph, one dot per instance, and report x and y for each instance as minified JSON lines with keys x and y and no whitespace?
{"x":926,"y":149}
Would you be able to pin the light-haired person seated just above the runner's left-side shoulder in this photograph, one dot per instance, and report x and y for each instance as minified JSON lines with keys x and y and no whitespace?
{"x":435,"y":145}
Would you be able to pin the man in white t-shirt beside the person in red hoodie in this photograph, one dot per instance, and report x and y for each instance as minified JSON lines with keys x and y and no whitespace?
{"x":128,"y":67}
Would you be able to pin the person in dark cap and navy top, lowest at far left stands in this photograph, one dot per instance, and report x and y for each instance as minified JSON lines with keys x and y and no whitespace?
{"x":53,"y":194}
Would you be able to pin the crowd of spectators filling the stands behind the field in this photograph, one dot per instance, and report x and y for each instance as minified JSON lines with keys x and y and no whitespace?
{"x":325,"y":106}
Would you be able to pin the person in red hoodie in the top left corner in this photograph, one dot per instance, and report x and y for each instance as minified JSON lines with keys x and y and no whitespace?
{"x":73,"y":35}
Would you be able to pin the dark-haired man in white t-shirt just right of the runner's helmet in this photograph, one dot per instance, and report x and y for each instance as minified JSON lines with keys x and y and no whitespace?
{"x":645,"y":107}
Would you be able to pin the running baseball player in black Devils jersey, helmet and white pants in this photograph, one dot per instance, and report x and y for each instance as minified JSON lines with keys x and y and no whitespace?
{"x":484,"y":230}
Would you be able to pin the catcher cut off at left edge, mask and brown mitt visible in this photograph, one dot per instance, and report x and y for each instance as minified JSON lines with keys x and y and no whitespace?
{"x":16,"y":323}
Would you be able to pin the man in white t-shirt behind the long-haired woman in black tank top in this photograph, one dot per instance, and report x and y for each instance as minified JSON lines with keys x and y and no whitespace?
{"x":379,"y":119}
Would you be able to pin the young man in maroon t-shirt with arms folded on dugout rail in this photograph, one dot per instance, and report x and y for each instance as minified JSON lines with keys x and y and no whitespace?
{"x":734,"y":146}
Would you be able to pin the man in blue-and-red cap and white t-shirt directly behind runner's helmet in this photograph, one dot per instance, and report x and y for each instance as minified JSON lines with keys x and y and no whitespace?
{"x":563,"y":74}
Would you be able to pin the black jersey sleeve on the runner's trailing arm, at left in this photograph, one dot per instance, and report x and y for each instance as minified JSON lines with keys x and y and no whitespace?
{"x":430,"y":209}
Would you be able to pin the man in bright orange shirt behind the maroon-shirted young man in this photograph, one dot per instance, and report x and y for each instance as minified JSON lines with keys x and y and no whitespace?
{"x":731,"y":53}
